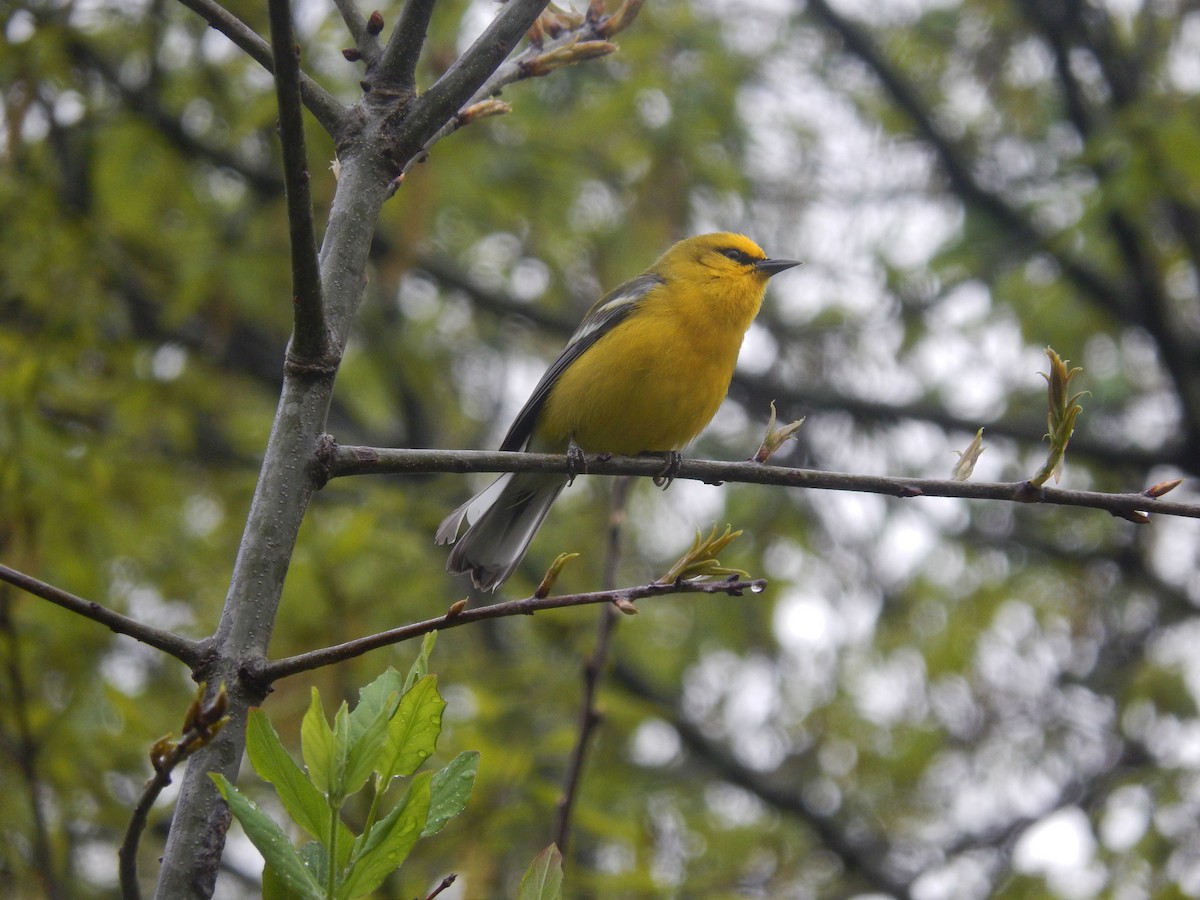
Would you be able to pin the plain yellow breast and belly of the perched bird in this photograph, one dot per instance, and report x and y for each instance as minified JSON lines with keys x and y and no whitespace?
{"x":651,"y":385}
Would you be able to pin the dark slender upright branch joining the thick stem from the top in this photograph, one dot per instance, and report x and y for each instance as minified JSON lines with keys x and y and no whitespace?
{"x":311,"y":334}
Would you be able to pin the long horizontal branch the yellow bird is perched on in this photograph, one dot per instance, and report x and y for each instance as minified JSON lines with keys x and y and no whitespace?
{"x":379,"y":461}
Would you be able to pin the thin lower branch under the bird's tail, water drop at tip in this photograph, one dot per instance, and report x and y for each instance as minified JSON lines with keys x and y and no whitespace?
{"x":273,"y":671}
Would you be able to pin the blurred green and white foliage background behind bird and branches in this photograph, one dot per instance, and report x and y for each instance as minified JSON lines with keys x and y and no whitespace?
{"x":934,"y":699}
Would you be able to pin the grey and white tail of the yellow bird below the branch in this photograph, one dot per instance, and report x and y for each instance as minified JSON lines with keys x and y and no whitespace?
{"x":496,"y":543}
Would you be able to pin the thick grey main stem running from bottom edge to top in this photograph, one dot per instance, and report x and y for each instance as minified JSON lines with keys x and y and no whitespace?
{"x":370,"y":159}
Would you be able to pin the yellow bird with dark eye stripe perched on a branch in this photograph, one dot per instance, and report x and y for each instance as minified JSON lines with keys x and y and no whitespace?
{"x":645,"y":373}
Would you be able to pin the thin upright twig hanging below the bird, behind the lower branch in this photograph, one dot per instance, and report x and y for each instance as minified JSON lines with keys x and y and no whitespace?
{"x":593,"y":673}
